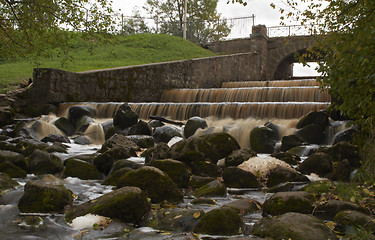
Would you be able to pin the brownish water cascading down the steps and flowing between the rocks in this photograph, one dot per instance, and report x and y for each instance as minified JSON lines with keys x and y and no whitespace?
{"x":236,"y":108}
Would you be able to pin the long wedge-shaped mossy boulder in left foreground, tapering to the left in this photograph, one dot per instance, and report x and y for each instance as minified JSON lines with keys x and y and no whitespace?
{"x":129,"y":204}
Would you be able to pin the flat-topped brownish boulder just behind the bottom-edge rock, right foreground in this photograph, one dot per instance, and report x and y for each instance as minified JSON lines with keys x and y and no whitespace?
{"x":283,"y":202}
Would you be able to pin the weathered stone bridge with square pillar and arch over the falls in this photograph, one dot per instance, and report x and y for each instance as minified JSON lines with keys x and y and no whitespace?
{"x":277,"y":53}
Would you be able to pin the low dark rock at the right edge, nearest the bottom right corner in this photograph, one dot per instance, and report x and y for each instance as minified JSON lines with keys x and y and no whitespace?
{"x":350,"y":219}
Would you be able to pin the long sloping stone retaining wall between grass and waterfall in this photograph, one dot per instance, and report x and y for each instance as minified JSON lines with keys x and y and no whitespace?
{"x":143,"y":83}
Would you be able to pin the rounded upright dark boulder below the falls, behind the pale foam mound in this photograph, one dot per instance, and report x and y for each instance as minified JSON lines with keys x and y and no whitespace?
{"x":263,"y":140}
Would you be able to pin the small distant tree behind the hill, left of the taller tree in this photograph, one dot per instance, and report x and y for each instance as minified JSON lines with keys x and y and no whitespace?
{"x":135,"y":24}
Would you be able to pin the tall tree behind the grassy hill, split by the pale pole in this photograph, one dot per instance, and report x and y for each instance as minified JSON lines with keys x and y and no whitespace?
{"x":203,"y":21}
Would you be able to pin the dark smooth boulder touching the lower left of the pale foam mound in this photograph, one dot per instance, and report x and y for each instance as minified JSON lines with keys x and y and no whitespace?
{"x":238,"y":178}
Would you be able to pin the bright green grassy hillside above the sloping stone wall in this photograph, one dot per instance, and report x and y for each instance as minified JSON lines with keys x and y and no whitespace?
{"x":125,"y":51}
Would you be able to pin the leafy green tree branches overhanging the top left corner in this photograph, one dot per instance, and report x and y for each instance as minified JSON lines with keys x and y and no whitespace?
{"x":38,"y":26}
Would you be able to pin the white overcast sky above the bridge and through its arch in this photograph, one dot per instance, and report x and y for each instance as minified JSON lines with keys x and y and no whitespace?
{"x":264,"y":15}
